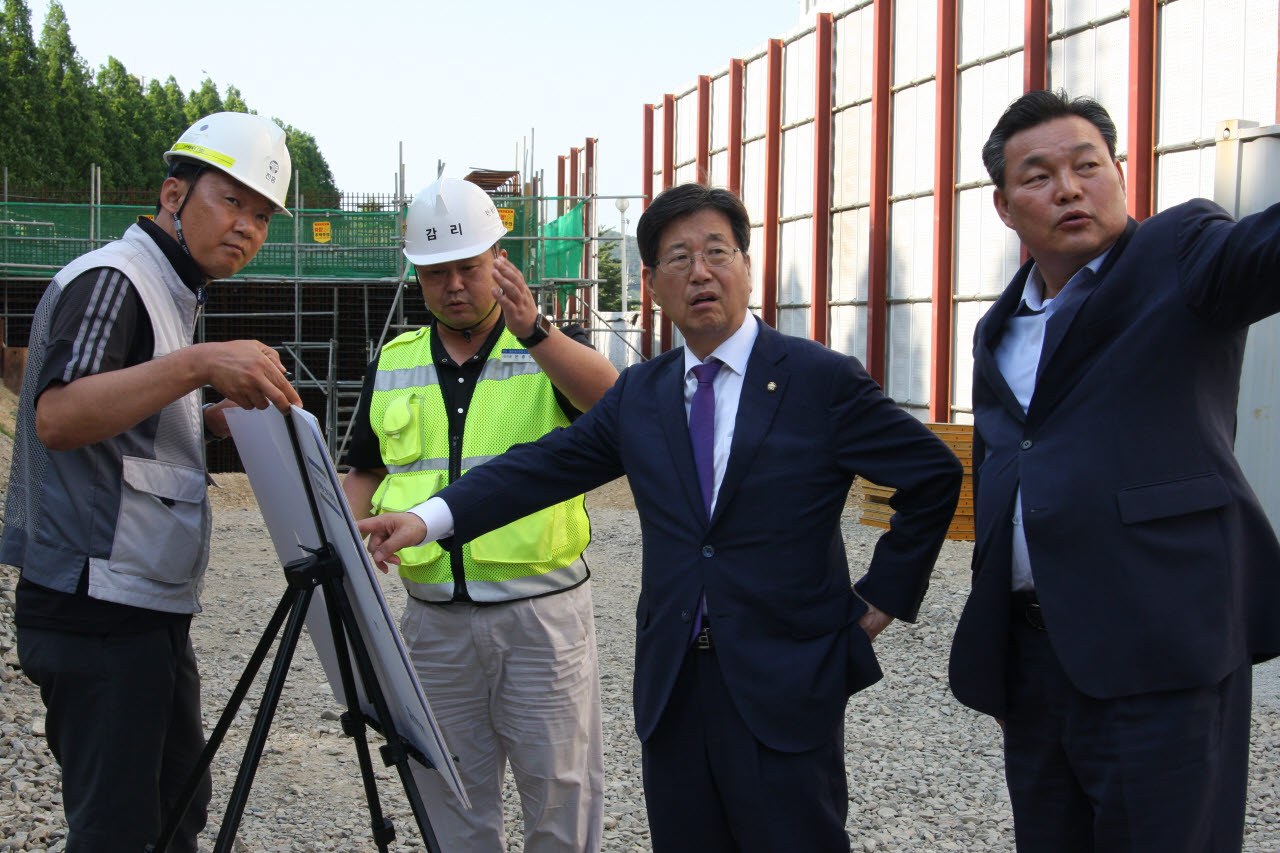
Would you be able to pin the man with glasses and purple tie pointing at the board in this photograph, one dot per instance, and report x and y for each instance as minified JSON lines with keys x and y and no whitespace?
{"x":740,"y":450}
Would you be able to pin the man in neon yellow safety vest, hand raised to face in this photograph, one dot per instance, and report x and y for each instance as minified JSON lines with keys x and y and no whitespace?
{"x":500,"y":630}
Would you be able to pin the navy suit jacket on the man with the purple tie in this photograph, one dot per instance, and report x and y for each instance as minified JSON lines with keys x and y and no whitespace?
{"x":772,"y":559}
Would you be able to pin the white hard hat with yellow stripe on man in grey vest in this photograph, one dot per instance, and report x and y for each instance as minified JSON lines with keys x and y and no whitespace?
{"x":248,"y":148}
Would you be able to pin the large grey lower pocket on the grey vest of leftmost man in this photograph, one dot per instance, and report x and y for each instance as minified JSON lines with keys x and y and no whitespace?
{"x":161,"y":528}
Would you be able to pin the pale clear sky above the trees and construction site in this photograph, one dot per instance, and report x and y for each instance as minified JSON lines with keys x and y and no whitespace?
{"x":468,"y":84}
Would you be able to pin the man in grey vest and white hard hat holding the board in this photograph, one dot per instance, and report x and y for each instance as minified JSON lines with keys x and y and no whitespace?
{"x":107,"y":510}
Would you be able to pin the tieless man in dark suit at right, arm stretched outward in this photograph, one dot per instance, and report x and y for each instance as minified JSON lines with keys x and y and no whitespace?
{"x":1126,"y":577}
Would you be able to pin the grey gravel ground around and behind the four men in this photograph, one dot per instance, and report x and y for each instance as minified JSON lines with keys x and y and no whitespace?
{"x":925,"y":772}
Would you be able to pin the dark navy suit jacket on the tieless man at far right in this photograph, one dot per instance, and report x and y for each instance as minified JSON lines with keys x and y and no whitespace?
{"x":1155,"y":565}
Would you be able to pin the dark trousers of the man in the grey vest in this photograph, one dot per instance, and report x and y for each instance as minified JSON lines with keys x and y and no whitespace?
{"x":124,"y":722}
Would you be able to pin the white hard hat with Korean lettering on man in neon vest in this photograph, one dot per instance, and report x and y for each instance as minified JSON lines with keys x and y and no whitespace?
{"x":451,"y":220}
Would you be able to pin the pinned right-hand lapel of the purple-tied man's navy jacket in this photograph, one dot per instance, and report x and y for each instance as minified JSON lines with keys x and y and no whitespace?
{"x":764,"y":387}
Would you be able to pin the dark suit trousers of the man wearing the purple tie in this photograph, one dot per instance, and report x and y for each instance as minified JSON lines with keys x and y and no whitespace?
{"x":711,"y":787}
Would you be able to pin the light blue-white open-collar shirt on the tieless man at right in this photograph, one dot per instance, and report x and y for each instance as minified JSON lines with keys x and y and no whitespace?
{"x":1018,"y":358}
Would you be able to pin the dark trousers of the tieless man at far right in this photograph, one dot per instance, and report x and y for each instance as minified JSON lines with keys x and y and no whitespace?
{"x":1159,"y":773}
